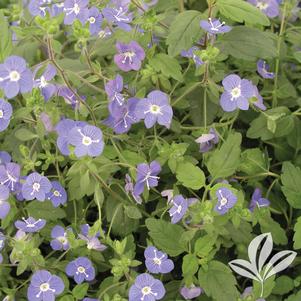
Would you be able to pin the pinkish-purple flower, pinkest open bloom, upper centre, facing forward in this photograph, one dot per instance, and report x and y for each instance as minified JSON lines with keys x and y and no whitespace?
{"x":129,"y":56}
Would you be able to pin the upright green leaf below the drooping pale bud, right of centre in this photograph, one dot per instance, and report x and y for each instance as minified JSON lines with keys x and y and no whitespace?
{"x":224,"y":161}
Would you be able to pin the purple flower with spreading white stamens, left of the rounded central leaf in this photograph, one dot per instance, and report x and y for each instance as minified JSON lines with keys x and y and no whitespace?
{"x":147,"y":175}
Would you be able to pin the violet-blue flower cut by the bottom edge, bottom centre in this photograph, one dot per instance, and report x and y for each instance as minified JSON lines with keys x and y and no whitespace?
{"x":146,"y":288}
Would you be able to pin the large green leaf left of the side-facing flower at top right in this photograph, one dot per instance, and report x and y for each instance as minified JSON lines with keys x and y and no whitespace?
{"x":184,"y":31}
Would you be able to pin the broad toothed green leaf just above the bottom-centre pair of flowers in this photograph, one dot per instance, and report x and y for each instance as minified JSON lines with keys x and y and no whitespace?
{"x":166,"y":236}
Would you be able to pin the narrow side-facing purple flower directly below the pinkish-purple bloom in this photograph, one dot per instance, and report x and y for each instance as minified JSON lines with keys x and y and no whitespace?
{"x":113,"y":89}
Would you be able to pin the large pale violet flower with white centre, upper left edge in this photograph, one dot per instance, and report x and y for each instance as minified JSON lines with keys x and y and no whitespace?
{"x":15,"y":77}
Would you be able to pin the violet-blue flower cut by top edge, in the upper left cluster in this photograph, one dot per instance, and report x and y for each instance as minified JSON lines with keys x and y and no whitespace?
{"x":76,"y":9}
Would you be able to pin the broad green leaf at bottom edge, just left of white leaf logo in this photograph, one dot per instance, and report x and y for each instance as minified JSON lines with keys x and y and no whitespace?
{"x":218,"y":281}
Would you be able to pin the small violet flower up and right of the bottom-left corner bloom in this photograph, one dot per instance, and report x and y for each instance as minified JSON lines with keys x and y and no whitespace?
{"x":81,"y":269}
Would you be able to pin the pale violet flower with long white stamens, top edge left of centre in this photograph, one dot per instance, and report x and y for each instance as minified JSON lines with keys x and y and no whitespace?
{"x":118,"y":14}
